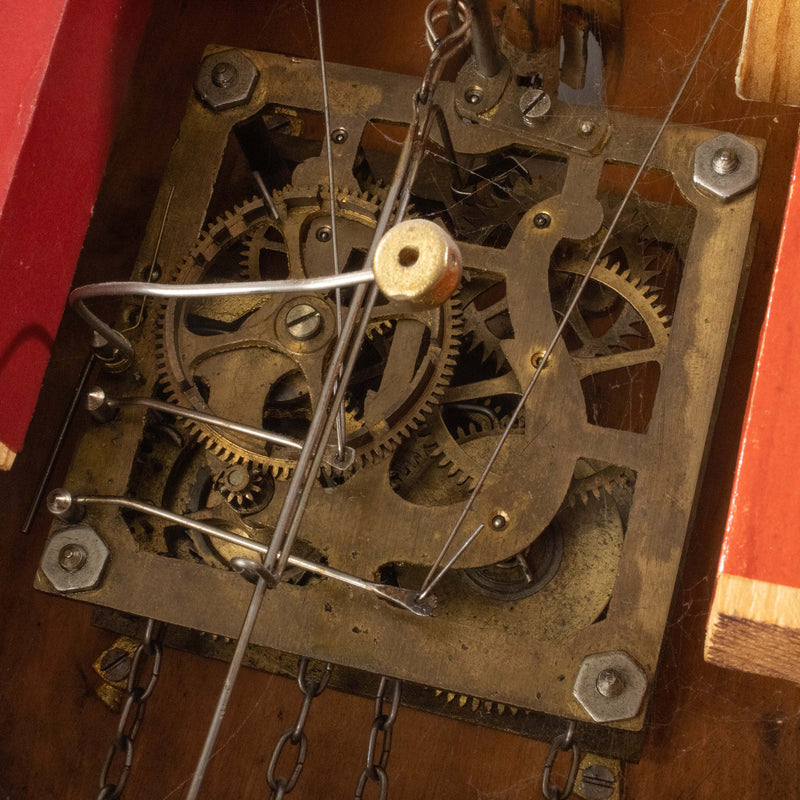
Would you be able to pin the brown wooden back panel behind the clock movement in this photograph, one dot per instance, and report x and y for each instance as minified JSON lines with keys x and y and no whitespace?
{"x":712,"y":734}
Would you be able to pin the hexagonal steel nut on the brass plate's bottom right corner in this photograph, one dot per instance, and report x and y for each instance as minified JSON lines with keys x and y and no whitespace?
{"x":625,"y":686}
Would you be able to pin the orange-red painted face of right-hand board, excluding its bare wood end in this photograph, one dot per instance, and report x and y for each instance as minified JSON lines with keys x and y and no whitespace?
{"x":762,"y":538}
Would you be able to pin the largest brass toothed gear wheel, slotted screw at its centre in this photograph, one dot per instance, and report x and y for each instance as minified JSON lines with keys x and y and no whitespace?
{"x":238,"y":358}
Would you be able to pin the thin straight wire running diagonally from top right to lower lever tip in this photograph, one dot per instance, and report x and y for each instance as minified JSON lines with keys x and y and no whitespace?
{"x":430,"y":581}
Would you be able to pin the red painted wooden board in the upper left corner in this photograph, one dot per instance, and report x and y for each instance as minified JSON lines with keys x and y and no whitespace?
{"x":65,"y":67}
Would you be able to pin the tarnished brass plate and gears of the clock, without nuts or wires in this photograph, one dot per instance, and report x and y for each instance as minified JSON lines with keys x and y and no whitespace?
{"x":595,"y":487}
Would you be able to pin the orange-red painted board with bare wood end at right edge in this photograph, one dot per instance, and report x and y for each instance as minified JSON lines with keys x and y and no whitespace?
{"x":754,"y":623}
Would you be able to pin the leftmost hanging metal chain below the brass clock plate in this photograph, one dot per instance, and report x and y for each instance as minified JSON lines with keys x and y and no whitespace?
{"x":121,"y":750}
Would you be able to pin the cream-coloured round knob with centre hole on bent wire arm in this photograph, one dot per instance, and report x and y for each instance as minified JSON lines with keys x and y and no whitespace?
{"x":417,"y":261}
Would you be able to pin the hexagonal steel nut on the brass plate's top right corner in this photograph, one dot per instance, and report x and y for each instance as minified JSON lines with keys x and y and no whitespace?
{"x":726,"y":185}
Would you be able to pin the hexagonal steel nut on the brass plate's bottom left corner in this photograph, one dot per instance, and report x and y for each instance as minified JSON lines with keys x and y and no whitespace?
{"x":74,"y":559}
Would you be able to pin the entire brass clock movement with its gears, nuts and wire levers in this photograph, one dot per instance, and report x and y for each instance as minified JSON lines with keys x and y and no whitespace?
{"x":557,"y":401}
